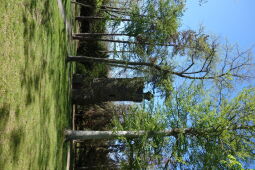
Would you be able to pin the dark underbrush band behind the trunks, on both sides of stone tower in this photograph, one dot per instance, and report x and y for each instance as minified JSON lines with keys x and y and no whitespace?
{"x":93,"y":154}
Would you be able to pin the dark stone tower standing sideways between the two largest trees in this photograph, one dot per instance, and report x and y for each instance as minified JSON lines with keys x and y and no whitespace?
{"x":107,"y":89}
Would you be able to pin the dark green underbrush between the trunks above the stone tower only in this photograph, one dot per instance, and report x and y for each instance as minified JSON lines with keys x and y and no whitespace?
{"x":93,"y":48}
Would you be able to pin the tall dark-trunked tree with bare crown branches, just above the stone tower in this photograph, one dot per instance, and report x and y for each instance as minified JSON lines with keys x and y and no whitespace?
{"x":205,"y":66}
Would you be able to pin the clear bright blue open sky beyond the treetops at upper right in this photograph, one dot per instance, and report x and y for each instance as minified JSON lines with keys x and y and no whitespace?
{"x":233,"y":20}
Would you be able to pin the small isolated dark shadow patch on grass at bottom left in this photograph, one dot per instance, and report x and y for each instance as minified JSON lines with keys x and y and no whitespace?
{"x":15,"y":140}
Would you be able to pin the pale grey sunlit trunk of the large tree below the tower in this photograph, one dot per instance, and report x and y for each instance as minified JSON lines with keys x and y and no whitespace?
{"x":98,"y":135}
